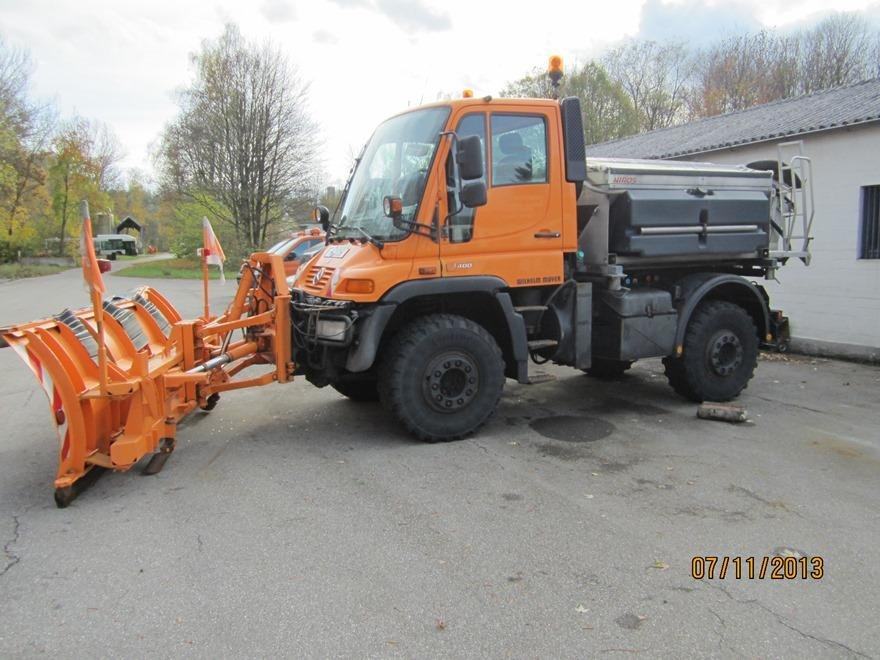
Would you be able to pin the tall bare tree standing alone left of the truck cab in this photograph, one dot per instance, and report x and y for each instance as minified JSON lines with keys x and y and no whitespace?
{"x":242,"y":146}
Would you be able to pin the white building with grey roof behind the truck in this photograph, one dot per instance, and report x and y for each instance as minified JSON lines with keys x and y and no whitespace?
{"x":834,"y":304}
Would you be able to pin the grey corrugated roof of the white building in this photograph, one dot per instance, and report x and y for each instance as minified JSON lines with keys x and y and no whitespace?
{"x":822,"y":111}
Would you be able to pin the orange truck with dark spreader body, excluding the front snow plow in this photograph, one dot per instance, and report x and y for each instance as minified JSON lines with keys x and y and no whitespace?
{"x":471,"y":240}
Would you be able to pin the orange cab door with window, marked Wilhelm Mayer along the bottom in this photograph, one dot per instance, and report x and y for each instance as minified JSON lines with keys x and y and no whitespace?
{"x":517,"y":235}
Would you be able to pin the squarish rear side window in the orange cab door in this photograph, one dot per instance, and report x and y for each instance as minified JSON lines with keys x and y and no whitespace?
{"x":519,"y":149}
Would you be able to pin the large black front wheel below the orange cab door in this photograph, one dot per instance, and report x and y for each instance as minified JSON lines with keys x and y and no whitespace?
{"x":441,"y":377}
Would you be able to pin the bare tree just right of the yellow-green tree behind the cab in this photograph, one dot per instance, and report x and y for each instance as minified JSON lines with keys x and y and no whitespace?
{"x":656,"y":78}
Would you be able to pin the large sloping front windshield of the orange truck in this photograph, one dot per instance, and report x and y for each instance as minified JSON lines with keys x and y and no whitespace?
{"x":395,"y":162}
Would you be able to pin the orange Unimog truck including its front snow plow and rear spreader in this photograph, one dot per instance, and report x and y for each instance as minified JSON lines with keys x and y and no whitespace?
{"x":473,"y":238}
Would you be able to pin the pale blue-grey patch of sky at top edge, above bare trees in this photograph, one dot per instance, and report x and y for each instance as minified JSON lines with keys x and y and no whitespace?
{"x":696,"y":23}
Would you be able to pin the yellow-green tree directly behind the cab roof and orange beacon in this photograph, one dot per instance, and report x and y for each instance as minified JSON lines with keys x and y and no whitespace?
{"x":607,"y":111}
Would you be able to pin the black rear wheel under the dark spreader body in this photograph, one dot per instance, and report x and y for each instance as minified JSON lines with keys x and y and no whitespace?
{"x":720,"y":353}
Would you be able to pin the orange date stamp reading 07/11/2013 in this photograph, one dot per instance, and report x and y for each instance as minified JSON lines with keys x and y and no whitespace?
{"x":710,"y":567}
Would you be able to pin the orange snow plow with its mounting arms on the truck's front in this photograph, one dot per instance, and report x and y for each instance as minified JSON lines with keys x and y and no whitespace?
{"x":160,"y":367}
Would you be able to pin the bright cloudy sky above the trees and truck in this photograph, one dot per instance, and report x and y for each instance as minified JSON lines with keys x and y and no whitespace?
{"x":122,"y":61}
